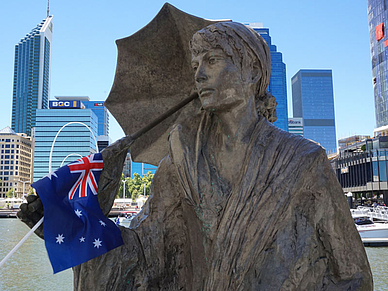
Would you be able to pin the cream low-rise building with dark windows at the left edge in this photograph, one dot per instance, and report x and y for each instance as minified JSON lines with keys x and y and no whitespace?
{"x":15,"y":162}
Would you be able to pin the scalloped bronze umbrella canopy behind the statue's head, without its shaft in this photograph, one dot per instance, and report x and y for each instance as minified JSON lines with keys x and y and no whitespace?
{"x":153,"y":74}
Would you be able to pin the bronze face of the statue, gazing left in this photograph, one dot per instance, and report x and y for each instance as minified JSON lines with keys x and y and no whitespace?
{"x":218,"y":80}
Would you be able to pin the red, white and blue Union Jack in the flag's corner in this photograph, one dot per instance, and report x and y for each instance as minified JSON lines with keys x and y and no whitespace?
{"x":87,"y":166}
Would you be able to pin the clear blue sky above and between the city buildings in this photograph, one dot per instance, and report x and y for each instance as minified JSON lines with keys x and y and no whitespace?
{"x":311,"y":35}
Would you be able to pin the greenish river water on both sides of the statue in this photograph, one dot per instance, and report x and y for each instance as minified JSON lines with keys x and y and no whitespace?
{"x":29,"y":268}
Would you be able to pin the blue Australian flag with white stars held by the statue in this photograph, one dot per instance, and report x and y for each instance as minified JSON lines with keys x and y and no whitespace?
{"x":75,"y":230}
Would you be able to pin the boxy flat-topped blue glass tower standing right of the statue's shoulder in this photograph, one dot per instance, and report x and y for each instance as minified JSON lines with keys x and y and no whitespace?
{"x":313,"y":101}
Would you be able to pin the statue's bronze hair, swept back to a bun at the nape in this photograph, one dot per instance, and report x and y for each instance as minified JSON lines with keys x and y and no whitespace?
{"x":246,"y":48}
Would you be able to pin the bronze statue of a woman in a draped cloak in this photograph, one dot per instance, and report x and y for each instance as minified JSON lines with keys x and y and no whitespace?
{"x":237,"y":204}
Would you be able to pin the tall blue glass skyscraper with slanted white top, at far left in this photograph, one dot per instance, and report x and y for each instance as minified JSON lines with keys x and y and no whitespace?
{"x":31,"y":82}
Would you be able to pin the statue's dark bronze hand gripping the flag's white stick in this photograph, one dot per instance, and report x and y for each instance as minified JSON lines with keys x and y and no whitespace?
{"x":31,"y":212}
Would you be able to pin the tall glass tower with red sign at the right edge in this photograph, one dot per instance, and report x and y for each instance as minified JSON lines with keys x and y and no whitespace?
{"x":378,"y":23}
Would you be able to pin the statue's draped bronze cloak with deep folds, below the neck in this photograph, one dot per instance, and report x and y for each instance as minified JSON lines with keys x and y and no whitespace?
{"x":280,"y":223}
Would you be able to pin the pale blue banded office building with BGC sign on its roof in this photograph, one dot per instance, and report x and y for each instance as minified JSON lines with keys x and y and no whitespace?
{"x":74,"y":141}
